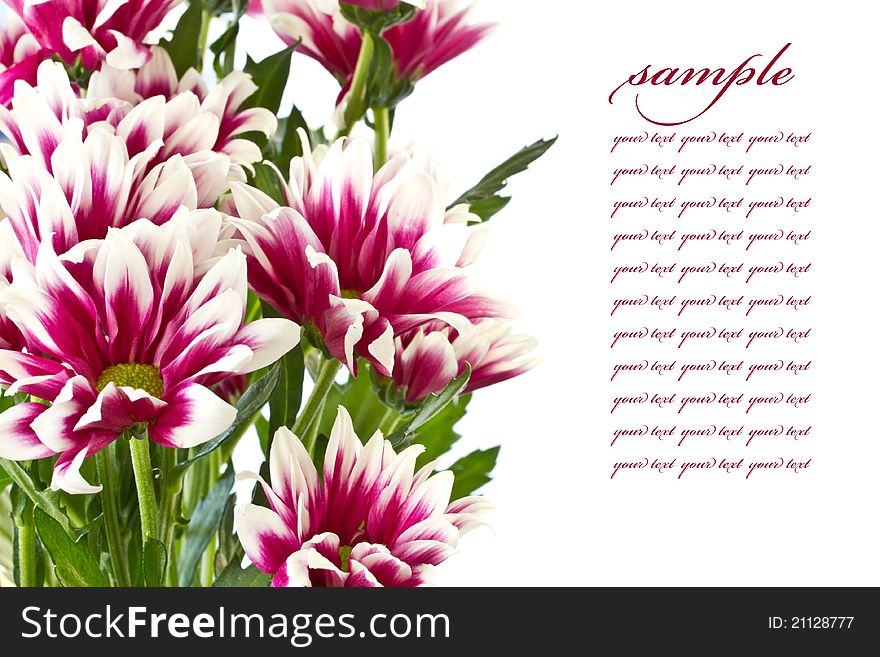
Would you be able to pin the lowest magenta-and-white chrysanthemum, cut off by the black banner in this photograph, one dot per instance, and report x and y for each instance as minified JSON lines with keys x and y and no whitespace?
{"x":370,"y":521}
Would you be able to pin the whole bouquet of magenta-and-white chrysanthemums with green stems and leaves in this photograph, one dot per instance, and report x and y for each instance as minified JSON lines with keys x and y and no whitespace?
{"x":186,"y":265}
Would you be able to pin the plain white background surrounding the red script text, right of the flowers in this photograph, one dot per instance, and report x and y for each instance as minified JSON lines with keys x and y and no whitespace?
{"x":548,"y":70}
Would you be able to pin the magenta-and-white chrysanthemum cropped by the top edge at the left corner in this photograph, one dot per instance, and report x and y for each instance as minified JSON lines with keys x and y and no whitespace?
{"x":94,"y":30}
